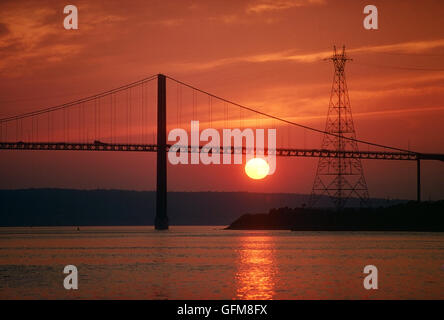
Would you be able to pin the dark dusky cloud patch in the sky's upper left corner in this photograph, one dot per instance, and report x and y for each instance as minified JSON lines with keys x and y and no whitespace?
{"x":31,"y":36}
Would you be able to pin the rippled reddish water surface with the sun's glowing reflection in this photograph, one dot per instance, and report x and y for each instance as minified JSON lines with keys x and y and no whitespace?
{"x":211,"y":263}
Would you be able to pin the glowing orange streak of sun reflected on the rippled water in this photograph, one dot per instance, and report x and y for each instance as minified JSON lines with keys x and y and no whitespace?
{"x":256,"y":268}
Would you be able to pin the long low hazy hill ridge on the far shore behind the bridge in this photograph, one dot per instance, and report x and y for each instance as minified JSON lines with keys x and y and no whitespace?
{"x":66,"y":207}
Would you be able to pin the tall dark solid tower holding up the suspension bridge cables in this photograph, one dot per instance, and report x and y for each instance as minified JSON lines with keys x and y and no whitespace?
{"x":161,"y":220}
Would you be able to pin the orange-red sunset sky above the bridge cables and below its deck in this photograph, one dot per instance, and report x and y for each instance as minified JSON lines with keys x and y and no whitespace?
{"x":259,"y":53}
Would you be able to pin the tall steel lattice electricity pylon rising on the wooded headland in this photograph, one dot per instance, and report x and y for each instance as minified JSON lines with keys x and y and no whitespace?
{"x":338,"y":177}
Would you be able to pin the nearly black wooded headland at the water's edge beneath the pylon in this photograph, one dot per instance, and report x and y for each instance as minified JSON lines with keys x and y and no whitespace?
{"x":410,"y":216}
